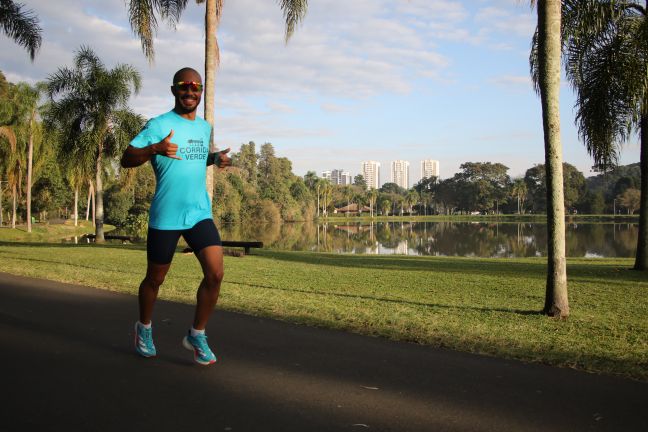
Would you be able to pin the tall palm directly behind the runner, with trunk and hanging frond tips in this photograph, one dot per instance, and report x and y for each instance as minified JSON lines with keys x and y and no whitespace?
{"x":143,"y":21}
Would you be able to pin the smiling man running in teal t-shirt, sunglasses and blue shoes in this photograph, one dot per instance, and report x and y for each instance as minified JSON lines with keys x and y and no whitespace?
{"x":177,"y":144}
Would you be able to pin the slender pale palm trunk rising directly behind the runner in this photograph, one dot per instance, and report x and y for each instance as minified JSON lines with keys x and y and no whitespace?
{"x":212,"y":13}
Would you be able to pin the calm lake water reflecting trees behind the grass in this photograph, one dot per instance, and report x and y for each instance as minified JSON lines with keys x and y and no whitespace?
{"x":441,"y":238}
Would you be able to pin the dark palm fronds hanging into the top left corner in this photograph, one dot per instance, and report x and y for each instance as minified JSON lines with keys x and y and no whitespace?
{"x":20,"y":25}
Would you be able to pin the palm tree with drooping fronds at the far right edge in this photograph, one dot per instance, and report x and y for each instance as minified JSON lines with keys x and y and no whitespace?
{"x":604,"y":43}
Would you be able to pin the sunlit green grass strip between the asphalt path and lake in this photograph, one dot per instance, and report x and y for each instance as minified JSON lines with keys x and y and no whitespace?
{"x":485,"y":306}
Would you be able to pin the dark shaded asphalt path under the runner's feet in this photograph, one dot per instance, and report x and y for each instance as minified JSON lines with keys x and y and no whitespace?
{"x":67,"y":363}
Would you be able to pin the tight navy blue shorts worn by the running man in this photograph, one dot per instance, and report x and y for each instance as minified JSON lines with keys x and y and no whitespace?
{"x":161,"y":244}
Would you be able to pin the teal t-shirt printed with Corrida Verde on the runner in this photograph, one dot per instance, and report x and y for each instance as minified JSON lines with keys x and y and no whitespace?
{"x":181,"y":198}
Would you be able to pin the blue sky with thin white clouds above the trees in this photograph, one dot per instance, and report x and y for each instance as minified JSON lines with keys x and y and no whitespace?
{"x":359,"y":80}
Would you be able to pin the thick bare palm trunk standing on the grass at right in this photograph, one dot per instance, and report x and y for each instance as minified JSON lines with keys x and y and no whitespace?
{"x":549,"y":15}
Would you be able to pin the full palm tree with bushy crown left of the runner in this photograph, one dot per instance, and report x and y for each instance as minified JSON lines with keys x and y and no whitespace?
{"x":89,"y":103}
